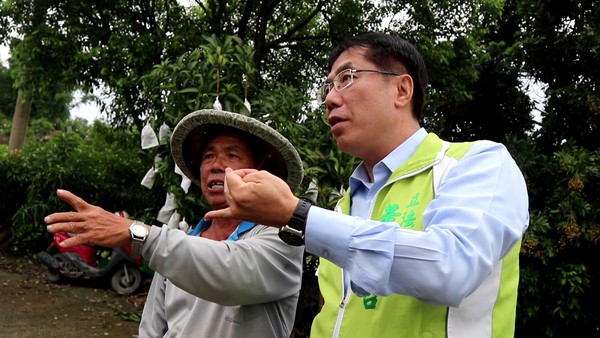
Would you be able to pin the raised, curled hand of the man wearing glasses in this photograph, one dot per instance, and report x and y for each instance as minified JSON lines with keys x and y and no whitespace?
{"x":256,"y":196}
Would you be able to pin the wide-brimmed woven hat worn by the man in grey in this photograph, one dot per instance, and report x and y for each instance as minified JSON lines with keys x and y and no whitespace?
{"x":191,"y":133}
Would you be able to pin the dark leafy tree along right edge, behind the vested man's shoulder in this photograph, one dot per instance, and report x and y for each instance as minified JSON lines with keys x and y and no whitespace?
{"x":560,"y":48}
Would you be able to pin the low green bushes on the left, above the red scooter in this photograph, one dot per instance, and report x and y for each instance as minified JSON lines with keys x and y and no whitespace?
{"x":96,"y":163}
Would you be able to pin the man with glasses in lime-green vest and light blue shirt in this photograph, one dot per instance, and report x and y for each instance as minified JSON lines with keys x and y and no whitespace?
{"x":425,"y":242}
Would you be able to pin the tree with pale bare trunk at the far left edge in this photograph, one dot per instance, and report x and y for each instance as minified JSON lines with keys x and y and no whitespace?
{"x":38,"y":63}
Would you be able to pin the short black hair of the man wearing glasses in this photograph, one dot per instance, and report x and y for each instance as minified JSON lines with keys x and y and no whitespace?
{"x":386,"y":51}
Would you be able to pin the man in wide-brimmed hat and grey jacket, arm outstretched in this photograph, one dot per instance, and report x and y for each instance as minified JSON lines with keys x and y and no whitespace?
{"x":226,"y":278}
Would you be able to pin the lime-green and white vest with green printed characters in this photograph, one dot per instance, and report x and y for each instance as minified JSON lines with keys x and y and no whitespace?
{"x":488,"y":312}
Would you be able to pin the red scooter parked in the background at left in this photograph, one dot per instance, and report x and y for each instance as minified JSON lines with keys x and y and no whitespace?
{"x":92,"y":262}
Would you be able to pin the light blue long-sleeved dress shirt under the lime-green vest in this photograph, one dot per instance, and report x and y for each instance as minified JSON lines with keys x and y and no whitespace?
{"x":479,"y":212}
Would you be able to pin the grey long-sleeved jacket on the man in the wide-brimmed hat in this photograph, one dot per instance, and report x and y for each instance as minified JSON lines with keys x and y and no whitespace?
{"x":226,"y":289}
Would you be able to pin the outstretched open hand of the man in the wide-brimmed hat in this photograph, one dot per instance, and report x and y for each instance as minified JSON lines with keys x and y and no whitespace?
{"x":91,"y":224}
